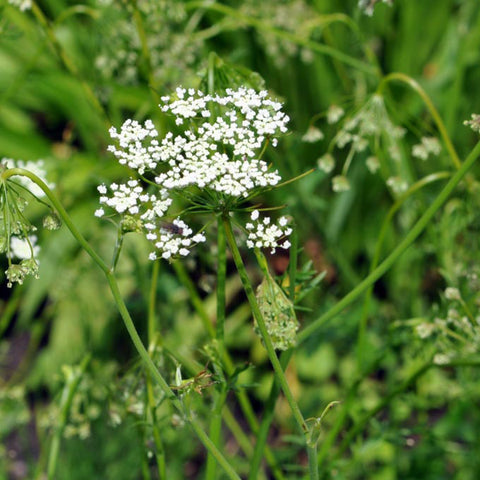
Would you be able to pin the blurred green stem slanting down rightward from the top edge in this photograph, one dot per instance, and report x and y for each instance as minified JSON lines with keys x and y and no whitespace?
{"x":291,"y":37}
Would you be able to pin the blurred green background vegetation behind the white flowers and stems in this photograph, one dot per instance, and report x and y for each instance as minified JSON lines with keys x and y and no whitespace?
{"x":409,"y":402}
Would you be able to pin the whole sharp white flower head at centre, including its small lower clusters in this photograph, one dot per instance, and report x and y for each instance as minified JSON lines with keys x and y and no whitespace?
{"x":217,"y":151}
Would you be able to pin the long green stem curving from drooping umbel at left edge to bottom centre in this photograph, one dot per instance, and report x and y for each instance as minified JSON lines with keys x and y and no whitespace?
{"x":124,"y":313}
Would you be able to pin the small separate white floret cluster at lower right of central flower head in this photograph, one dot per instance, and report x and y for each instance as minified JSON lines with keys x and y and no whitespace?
{"x":262,"y":233}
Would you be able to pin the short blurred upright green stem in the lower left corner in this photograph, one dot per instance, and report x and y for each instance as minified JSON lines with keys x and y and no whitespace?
{"x":65,"y":404}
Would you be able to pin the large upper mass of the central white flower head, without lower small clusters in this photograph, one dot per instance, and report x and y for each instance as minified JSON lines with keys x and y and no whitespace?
{"x":218,"y":154}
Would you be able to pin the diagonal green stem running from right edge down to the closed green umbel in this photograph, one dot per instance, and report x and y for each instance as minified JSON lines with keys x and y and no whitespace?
{"x":416,"y":230}
